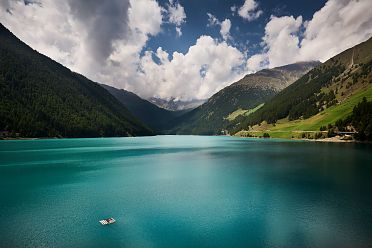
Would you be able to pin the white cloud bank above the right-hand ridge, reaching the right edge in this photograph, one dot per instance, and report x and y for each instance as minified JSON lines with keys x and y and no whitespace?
{"x":340,"y":24}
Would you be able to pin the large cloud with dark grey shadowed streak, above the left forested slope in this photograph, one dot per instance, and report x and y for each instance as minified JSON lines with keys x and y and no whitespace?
{"x":81,"y":35}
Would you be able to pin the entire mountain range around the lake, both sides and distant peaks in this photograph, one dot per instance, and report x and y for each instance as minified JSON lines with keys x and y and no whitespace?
{"x":41,"y":98}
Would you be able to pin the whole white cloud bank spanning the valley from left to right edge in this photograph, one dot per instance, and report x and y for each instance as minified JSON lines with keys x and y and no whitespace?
{"x":85,"y":39}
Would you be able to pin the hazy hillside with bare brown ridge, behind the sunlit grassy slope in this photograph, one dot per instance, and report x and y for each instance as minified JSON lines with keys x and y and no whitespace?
{"x":246,"y":94}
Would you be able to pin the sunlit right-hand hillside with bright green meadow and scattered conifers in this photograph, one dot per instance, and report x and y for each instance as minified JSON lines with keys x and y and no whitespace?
{"x":323,"y":96}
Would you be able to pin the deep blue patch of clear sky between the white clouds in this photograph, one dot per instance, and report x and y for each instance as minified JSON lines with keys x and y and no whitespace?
{"x":242,"y":31}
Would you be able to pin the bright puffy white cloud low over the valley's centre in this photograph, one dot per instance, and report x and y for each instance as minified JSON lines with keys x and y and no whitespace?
{"x":207,"y":67}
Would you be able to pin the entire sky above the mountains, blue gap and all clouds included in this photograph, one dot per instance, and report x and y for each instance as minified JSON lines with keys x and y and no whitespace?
{"x":185,"y":49}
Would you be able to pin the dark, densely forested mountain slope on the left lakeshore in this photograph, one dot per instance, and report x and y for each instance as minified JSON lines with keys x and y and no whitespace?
{"x":41,"y":98}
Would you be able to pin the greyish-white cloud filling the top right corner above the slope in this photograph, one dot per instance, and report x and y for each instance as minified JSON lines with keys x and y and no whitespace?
{"x":339,"y":25}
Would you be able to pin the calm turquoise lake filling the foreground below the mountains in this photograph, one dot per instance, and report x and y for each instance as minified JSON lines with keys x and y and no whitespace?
{"x":185,"y":191}
